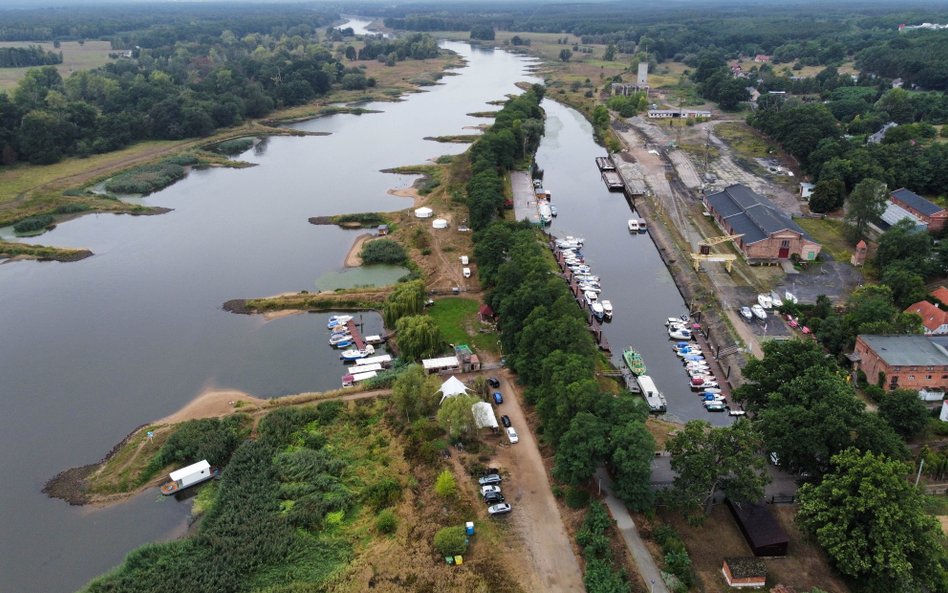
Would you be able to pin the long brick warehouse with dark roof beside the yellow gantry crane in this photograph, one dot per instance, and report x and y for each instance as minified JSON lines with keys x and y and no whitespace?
{"x":767,"y":233}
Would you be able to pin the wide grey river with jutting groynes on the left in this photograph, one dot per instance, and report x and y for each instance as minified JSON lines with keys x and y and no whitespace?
{"x":94,"y":348}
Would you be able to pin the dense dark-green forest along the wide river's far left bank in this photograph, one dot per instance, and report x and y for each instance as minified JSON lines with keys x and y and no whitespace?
{"x":174,"y":91}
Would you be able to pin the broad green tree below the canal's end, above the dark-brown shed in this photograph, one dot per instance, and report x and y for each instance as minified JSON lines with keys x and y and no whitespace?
{"x":709,"y":460}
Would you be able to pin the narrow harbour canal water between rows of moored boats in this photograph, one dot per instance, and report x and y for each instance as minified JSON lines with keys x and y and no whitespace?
{"x":633,"y":275}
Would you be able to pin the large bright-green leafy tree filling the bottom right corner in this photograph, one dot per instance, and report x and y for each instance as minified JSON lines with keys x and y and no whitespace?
{"x":872,"y":524}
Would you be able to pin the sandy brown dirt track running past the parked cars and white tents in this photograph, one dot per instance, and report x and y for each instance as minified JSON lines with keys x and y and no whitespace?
{"x":535,"y":514}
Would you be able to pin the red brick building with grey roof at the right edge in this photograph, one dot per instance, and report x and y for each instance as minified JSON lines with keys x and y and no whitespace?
{"x":904,"y":362}
